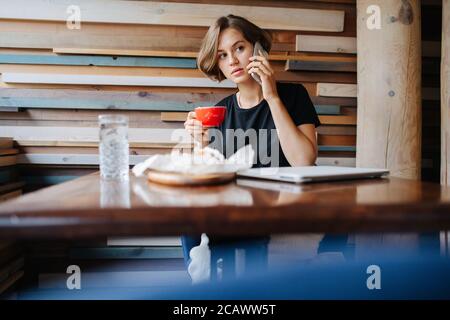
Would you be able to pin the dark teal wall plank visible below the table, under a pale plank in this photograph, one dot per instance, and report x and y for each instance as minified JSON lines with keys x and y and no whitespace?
{"x":127,"y":253}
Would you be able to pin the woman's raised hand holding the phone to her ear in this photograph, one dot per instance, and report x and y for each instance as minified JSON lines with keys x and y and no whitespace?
{"x":261,"y":66}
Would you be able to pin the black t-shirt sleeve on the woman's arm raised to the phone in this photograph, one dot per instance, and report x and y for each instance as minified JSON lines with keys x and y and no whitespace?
{"x":302,"y":109}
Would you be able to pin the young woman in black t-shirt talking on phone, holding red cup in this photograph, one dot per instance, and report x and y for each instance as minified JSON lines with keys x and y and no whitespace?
{"x":280,"y":115}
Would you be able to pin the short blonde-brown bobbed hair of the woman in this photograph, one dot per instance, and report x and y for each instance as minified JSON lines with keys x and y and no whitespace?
{"x":207,"y":60}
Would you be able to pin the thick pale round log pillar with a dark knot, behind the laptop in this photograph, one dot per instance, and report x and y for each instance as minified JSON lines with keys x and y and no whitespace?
{"x":389,"y":86}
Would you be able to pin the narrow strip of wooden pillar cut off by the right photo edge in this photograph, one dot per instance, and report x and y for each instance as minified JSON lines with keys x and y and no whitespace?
{"x":445,"y":94}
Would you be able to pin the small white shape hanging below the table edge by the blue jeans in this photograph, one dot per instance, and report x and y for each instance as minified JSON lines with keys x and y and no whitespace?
{"x":200,"y":266}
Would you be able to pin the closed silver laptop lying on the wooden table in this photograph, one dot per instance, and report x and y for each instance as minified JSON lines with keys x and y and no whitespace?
{"x":312,"y":173}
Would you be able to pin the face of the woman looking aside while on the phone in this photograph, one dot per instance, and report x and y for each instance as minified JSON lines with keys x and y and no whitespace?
{"x":233,"y":55}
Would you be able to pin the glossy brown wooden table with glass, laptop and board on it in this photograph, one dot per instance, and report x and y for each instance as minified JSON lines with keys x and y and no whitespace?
{"x":88,"y":207}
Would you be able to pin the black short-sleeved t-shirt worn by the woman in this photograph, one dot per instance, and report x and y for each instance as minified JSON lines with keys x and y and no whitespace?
{"x":256,"y":125}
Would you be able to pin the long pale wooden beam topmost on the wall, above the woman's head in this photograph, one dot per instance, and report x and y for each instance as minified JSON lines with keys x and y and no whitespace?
{"x":166,"y":13}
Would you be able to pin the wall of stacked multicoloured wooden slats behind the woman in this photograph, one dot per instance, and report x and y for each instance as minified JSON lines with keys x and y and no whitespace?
{"x":55,"y":81}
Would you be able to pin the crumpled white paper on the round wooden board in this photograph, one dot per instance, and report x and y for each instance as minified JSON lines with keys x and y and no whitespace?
{"x":201,"y":161}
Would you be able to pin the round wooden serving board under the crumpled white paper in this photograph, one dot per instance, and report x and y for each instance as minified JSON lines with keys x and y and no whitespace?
{"x":182,"y":179}
